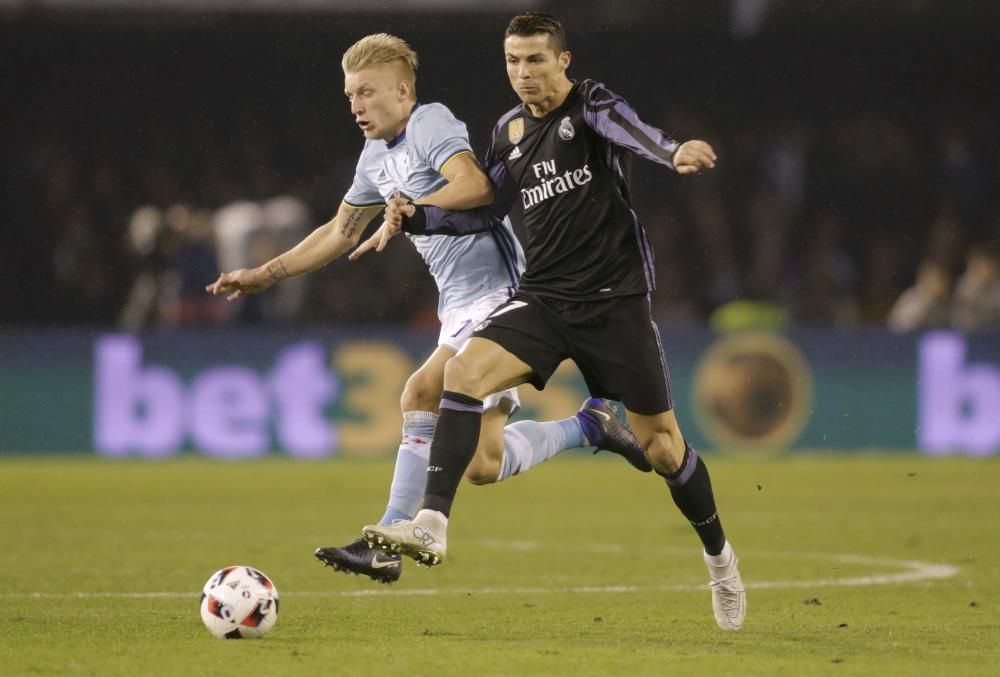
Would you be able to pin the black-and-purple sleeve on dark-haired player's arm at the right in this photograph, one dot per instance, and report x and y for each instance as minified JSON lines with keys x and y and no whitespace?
{"x":613,"y":118}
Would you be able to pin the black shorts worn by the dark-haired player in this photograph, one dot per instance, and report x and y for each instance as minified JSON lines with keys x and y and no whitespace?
{"x":613,"y":342}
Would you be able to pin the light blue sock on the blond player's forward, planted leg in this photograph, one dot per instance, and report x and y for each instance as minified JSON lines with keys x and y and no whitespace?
{"x":410,"y":475}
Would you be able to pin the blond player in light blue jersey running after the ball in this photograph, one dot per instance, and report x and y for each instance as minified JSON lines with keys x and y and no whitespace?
{"x":422,"y":152}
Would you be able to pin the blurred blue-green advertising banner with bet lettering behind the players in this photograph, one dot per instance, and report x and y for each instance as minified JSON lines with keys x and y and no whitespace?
{"x":243,"y":394}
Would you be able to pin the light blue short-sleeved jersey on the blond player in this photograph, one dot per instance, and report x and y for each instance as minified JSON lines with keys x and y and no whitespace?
{"x":464,"y":267}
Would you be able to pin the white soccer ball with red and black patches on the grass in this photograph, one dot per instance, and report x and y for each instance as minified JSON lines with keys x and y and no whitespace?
{"x":239,"y":603}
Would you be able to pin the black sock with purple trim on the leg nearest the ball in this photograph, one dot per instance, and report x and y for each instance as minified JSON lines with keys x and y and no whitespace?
{"x":454,"y":445}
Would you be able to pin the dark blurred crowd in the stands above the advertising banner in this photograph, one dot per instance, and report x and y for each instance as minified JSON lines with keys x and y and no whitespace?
{"x":857,"y":184}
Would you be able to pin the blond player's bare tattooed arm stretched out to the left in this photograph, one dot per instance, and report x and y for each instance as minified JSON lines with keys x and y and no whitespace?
{"x":319,"y":248}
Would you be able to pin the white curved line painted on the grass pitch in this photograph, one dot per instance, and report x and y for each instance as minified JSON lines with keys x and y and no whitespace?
{"x":912,"y":571}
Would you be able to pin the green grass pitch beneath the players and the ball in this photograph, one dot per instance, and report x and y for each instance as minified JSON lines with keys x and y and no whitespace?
{"x":855,"y":565}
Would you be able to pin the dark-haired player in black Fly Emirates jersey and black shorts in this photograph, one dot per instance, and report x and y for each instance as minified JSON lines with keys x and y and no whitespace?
{"x":585,"y":293}
